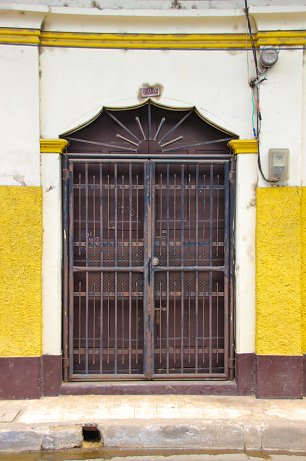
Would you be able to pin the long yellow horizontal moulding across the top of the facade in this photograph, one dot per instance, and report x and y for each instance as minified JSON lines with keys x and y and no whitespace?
{"x":150,"y":41}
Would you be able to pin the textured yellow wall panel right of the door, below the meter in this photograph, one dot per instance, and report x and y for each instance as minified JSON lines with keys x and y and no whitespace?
{"x":278,"y":271}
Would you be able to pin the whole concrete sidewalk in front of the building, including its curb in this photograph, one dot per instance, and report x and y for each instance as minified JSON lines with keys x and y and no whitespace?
{"x":162,"y":422}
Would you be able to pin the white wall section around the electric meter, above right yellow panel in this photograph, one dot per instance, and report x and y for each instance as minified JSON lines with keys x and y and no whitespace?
{"x":281,"y":106}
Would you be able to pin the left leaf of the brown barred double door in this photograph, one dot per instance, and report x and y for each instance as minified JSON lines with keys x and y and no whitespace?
{"x":106,"y":269}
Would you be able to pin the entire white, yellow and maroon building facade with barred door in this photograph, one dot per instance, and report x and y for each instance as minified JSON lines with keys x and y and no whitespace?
{"x":145,"y":244}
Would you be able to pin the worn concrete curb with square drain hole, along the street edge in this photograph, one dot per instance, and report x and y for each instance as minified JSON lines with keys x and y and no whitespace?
{"x":286,"y":436}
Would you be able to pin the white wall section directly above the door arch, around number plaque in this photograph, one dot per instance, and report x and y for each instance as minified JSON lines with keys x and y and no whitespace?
{"x":89,"y":79}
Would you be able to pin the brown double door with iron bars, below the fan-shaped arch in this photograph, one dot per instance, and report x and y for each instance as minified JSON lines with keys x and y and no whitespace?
{"x":147,"y":269}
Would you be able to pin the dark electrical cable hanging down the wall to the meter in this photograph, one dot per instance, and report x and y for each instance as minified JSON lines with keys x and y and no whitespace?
{"x":254,"y":84}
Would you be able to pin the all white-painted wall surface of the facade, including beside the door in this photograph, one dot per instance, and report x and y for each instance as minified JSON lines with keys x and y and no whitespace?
{"x":44,"y":93}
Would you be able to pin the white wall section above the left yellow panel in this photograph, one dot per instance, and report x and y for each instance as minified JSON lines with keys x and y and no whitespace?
{"x":19,"y":116}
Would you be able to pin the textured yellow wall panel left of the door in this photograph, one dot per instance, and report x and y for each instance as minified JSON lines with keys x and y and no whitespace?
{"x":20,"y":271}
